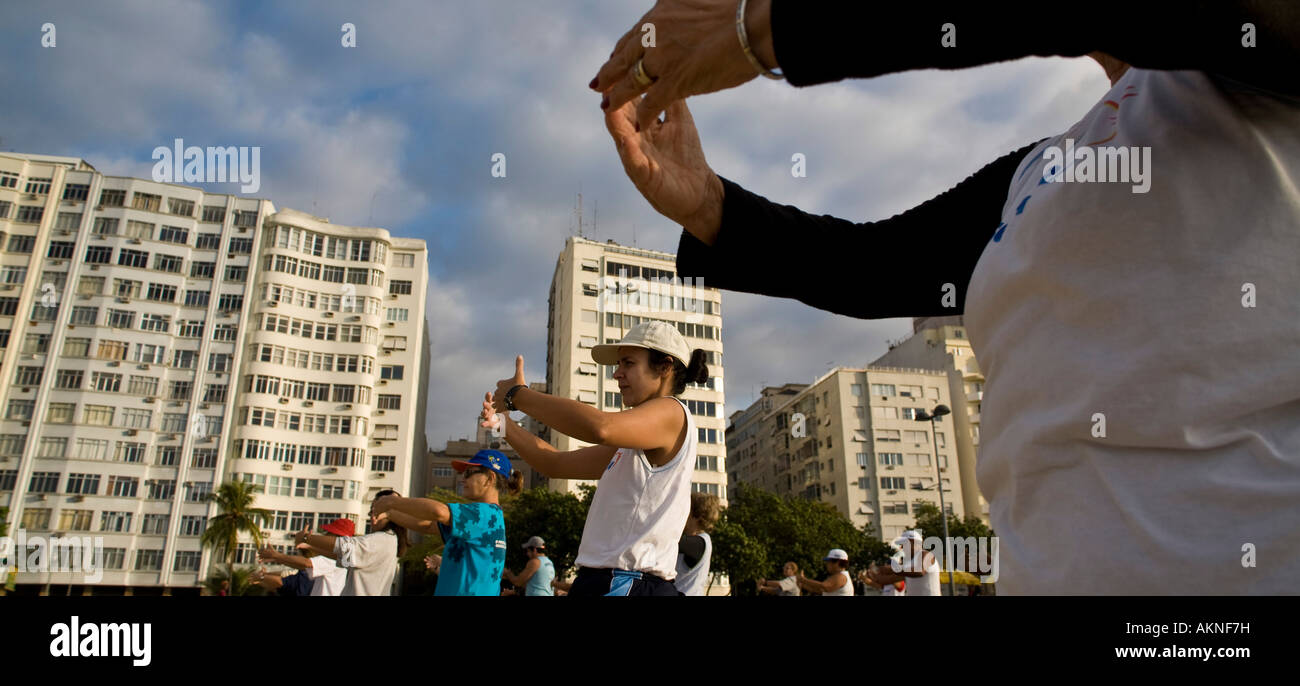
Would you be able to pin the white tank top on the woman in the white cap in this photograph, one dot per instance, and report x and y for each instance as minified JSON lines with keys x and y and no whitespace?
{"x":639,"y":511}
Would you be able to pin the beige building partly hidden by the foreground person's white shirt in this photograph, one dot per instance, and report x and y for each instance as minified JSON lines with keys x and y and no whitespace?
{"x":941,"y":344}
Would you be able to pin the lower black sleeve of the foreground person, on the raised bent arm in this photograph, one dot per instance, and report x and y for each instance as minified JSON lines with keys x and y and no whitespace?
{"x":856,"y":270}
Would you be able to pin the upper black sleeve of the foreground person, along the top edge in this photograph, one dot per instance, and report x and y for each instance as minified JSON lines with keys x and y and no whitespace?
{"x":821,"y":41}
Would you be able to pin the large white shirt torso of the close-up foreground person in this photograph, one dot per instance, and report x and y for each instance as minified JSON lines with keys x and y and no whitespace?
{"x":1099,"y":302}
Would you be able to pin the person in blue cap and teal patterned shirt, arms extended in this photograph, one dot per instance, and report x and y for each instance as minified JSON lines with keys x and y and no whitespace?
{"x":474,"y":533}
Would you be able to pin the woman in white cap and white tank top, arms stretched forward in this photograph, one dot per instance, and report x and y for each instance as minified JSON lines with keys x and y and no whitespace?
{"x":643,"y":457}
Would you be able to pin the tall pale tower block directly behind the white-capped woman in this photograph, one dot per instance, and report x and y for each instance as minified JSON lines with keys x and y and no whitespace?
{"x":599,"y":293}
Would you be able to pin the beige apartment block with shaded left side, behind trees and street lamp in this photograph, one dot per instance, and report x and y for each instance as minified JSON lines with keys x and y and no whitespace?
{"x":851,"y":440}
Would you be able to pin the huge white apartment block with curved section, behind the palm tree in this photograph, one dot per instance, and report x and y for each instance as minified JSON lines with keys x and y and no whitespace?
{"x":159,"y":341}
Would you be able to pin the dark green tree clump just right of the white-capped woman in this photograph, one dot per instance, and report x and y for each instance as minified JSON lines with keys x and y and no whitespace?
{"x":760,"y":532}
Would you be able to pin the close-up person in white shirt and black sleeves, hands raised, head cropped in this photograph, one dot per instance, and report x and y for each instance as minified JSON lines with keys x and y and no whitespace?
{"x":1069,"y":248}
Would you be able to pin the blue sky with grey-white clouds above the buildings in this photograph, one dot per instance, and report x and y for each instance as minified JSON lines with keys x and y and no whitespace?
{"x":400,"y":133}
